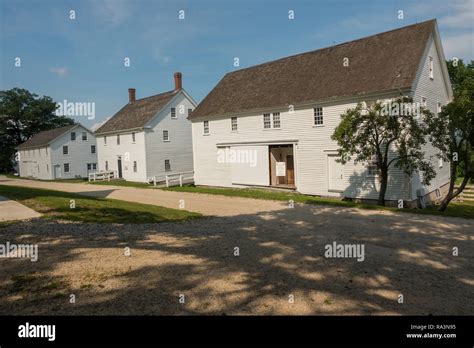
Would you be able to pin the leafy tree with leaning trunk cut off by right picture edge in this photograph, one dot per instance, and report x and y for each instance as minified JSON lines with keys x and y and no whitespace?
{"x":452,"y":130}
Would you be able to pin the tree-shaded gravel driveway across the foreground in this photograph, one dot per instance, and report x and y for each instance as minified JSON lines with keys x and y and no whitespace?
{"x":281,"y":258}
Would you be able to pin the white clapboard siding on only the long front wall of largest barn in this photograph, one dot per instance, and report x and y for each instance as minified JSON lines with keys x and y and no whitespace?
{"x":313,"y":146}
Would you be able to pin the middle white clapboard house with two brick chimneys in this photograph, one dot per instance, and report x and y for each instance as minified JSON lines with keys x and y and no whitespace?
{"x":150,"y":137}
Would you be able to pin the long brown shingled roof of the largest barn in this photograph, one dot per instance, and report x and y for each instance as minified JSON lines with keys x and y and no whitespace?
{"x":383,"y":62}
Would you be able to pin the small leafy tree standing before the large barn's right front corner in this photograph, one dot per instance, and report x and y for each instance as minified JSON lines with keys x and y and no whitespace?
{"x":388,"y":136}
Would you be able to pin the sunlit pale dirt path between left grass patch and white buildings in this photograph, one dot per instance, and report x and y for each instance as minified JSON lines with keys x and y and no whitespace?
{"x":204,"y":204}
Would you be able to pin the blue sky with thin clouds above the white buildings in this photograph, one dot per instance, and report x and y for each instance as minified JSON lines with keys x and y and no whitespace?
{"x":82,"y":60}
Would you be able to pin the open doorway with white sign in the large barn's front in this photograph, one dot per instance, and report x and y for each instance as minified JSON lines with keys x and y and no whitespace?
{"x":282,"y":166}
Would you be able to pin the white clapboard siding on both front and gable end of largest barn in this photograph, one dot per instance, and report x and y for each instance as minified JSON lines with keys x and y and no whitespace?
{"x":313,"y":144}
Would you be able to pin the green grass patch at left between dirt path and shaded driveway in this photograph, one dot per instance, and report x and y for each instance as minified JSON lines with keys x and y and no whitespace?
{"x":56,"y":205}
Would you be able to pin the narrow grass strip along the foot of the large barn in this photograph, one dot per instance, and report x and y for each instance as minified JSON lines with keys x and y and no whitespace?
{"x":455,"y":209}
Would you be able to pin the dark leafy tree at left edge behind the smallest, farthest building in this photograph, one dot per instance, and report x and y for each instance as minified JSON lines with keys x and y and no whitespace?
{"x":23,"y":114}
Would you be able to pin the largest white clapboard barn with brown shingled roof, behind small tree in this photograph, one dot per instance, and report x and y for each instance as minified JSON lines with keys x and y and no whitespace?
{"x":281,"y":115}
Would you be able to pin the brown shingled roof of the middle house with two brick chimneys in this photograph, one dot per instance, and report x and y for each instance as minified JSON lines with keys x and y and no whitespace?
{"x":137,"y":114}
